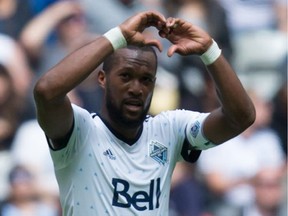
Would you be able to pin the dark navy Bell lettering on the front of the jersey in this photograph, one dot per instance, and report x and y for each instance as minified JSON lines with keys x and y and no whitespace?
{"x":140,"y":200}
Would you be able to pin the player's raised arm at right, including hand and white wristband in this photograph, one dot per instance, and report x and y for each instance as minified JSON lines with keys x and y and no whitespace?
{"x":237,"y":111}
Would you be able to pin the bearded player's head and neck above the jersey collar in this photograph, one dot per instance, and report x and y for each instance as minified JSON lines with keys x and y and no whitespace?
{"x":129,"y":87}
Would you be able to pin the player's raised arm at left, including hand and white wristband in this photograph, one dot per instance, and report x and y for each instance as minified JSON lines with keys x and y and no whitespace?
{"x":54,"y":110}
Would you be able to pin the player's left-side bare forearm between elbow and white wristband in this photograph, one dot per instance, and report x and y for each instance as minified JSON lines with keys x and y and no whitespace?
{"x":73,"y":69}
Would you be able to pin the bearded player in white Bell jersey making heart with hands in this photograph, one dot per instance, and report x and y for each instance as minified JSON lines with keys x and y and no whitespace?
{"x":118,"y":161}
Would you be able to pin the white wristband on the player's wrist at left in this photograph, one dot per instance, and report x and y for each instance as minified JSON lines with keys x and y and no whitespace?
{"x":116,"y":38}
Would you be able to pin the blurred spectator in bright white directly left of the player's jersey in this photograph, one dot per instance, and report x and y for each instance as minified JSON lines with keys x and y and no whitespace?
{"x":29,"y":148}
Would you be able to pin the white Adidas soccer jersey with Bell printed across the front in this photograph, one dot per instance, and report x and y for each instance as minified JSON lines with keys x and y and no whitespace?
{"x":100,"y":174}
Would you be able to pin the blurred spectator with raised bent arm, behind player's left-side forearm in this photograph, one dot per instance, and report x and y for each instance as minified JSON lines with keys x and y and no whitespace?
{"x":70,"y":32}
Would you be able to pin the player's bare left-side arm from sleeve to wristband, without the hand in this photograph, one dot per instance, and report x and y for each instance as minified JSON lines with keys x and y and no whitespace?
{"x":54,"y":110}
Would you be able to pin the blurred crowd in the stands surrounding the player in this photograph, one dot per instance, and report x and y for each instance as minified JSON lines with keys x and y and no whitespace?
{"x":247,"y":176}
